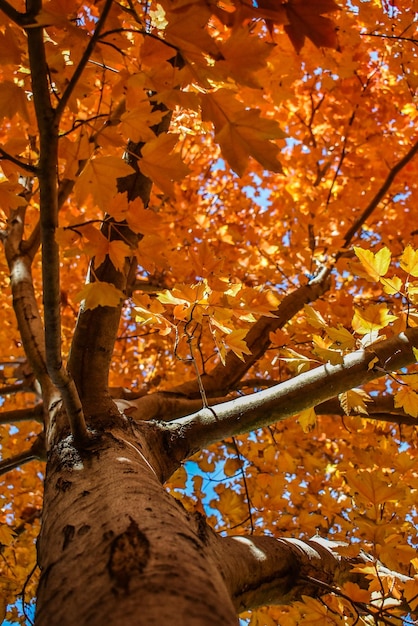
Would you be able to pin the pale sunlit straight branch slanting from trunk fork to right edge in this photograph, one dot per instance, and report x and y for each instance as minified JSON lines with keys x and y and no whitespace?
{"x":292,"y":396}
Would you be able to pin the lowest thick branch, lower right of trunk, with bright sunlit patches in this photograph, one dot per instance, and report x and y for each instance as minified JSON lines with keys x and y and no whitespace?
{"x":264,"y":570}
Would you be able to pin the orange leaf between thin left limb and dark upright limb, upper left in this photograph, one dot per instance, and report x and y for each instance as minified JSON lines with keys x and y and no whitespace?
{"x":99,"y":179}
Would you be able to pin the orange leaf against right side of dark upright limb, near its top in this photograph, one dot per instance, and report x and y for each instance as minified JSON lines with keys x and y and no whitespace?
{"x":160,"y":165}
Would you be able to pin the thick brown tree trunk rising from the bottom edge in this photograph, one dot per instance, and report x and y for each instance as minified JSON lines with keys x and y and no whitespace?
{"x":116,"y":548}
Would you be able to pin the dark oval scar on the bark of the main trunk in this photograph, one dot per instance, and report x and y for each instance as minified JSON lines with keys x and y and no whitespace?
{"x":129,"y":555}
